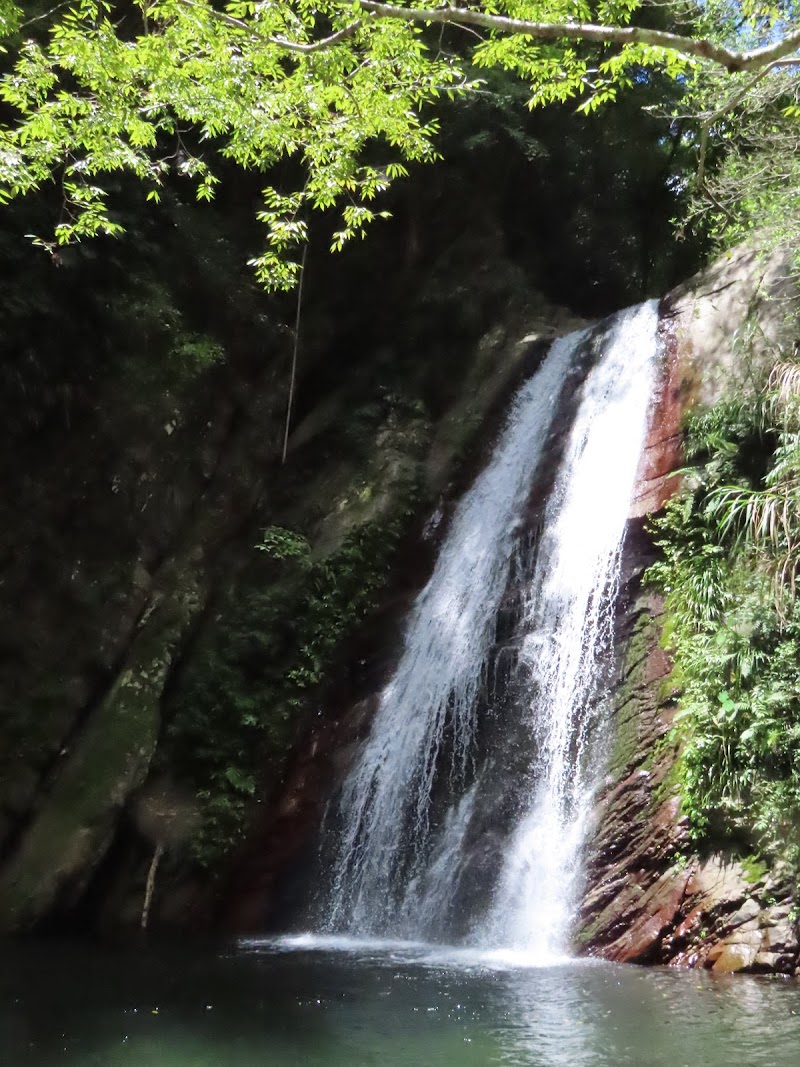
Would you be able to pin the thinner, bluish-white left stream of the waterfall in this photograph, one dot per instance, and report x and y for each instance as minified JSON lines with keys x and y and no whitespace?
{"x":387,"y":800}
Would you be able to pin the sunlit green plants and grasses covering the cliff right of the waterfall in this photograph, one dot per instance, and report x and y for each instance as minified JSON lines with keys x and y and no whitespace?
{"x":734,"y":628}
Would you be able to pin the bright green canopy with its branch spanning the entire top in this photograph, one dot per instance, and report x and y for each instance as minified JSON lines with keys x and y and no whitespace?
{"x":331,"y":102}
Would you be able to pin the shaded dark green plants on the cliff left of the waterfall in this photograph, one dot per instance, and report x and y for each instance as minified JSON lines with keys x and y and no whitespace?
{"x":236,"y":718}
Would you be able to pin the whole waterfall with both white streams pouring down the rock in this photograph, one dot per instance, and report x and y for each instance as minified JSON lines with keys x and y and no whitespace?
{"x":409,"y":807}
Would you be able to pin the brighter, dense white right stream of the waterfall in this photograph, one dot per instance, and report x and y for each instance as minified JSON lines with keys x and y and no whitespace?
{"x":569,"y":629}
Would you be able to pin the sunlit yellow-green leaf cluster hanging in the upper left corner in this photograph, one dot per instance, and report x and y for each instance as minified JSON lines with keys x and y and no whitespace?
{"x":174,"y":85}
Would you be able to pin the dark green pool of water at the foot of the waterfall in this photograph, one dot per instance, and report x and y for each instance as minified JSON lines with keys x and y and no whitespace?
{"x":260,"y":1007}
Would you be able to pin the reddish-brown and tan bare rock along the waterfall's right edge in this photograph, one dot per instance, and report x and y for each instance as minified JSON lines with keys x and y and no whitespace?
{"x":649,"y":899}
